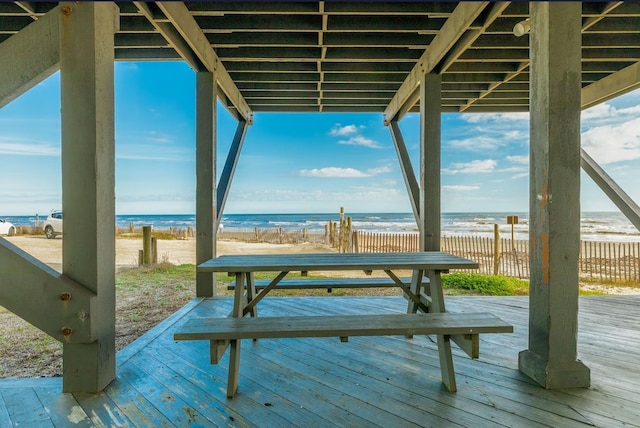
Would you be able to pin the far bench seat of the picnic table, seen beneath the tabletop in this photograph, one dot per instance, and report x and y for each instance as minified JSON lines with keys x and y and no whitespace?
{"x":320,"y":283}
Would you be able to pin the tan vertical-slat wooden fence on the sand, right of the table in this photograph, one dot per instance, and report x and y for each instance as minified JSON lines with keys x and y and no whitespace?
{"x":604,"y":261}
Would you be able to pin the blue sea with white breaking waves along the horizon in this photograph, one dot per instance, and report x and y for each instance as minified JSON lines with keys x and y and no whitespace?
{"x":595,"y":226}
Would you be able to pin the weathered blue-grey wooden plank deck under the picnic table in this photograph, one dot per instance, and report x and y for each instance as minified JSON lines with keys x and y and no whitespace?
{"x":369,"y":381}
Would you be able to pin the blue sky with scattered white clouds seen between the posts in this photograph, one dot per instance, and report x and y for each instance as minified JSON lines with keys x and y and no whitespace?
{"x":294,"y":163}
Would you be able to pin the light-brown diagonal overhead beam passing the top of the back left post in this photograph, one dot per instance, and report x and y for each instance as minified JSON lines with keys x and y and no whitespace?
{"x":188,"y":28}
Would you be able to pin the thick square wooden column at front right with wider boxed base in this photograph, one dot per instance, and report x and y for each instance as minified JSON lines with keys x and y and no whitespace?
{"x":554,"y":205}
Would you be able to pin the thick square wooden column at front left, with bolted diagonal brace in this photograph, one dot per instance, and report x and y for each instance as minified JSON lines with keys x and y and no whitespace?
{"x":88,"y":183}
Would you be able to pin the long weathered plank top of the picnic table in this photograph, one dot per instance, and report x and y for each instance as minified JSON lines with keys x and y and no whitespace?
{"x":429,"y":260}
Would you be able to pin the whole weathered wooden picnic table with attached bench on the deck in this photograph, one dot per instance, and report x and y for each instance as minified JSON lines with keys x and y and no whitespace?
{"x":462,"y":328}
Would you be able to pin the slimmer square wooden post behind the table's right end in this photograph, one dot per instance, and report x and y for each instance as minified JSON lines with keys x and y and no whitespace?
{"x":430,"y":149}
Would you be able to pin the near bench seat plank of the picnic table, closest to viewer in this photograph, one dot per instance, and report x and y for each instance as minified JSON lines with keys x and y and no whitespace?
{"x":341,"y":326}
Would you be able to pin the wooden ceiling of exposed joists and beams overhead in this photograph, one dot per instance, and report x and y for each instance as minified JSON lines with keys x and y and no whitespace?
{"x":354,"y":56}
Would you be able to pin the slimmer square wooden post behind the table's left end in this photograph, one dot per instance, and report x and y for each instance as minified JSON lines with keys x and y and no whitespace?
{"x":206,"y":148}
